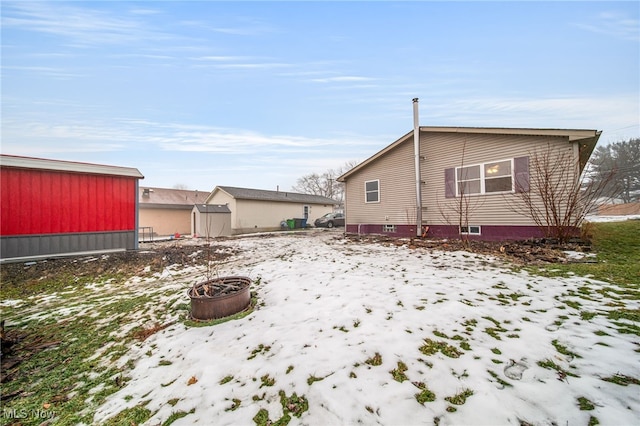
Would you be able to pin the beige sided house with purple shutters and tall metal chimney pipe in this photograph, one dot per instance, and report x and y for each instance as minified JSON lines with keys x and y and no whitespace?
{"x":488,"y":165}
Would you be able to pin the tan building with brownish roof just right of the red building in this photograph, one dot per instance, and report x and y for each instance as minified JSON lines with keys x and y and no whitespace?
{"x":165,"y":212}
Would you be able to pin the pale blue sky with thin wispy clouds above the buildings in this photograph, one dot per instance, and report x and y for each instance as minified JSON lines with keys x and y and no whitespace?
{"x":258,"y":94}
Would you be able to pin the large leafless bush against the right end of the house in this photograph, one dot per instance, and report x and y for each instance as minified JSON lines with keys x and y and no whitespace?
{"x":558,"y":196}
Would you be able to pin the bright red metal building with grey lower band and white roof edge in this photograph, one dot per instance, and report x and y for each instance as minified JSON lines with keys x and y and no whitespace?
{"x":51,"y":207}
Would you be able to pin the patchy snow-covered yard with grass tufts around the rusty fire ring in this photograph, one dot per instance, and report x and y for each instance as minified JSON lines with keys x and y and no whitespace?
{"x":349,"y":333}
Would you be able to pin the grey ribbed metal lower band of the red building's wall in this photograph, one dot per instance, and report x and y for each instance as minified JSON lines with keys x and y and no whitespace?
{"x":19,"y":246}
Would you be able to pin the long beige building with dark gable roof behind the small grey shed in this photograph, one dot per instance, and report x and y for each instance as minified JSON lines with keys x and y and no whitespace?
{"x":257,"y":210}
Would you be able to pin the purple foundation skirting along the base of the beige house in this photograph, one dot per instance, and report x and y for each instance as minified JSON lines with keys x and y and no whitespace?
{"x":487,"y":232}
